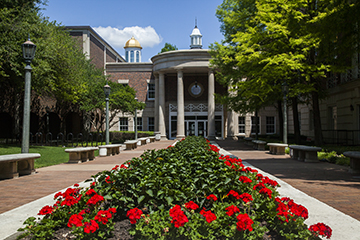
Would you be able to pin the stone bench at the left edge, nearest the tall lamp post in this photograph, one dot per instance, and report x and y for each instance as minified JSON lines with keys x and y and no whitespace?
{"x":14,"y":165}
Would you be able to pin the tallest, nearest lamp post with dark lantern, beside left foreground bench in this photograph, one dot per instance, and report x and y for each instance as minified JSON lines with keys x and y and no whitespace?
{"x":29,"y":49}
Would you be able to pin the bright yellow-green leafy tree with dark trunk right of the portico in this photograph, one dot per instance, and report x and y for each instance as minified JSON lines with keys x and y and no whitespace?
{"x":268,"y":42}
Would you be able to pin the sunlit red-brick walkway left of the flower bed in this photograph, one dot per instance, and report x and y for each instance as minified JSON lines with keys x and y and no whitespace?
{"x":48,"y":180}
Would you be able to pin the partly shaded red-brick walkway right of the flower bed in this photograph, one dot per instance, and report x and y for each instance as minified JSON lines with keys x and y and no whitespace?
{"x":329,"y":183}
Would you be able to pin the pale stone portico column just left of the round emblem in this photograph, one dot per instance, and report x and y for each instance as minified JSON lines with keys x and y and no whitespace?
{"x":180,"y":106}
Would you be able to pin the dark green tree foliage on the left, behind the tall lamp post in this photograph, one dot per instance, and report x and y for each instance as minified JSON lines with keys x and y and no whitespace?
{"x":60,"y":69}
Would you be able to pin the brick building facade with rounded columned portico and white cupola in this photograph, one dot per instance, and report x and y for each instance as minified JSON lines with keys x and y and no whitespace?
{"x":178,"y":88}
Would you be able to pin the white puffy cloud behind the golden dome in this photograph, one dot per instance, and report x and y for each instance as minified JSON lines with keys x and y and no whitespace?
{"x":117,"y":38}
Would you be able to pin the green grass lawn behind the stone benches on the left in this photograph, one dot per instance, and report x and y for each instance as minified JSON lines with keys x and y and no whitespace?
{"x":49,"y":155}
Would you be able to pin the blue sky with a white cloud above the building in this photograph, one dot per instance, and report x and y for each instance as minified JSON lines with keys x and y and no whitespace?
{"x":152,"y":22}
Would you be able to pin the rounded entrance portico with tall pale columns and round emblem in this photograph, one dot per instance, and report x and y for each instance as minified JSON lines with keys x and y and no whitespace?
{"x":184,"y":71}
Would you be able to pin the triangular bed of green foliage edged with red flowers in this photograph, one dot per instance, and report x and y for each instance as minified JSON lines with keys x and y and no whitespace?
{"x":183,"y":192}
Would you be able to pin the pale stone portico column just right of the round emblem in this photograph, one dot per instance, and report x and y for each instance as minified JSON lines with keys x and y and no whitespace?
{"x":211,"y":106}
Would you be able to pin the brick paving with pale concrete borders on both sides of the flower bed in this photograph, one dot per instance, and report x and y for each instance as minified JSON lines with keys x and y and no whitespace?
{"x":329,"y":191}
